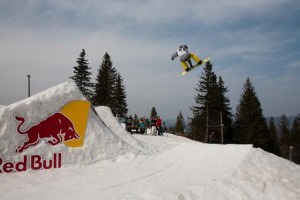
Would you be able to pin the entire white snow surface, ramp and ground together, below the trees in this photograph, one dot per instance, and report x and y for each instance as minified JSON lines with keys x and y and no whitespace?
{"x":110,"y":163}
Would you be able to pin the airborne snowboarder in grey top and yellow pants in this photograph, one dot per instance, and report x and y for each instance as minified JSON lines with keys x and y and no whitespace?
{"x":185,"y":57}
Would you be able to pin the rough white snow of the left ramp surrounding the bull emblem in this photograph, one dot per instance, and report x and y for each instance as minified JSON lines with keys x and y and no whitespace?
{"x":100,"y":141}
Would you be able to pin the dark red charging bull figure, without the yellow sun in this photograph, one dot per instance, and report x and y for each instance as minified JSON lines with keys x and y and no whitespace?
{"x":55,"y":129}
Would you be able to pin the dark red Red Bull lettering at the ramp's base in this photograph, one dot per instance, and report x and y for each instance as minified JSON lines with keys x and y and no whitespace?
{"x":33,"y":162}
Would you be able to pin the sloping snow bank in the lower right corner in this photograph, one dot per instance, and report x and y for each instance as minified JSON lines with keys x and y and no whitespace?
{"x":263,"y":175}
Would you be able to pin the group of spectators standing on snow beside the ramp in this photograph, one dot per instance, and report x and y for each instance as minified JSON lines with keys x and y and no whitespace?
{"x":141,"y":125}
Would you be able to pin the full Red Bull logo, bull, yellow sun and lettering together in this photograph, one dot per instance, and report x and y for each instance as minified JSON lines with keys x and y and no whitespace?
{"x":66,"y":127}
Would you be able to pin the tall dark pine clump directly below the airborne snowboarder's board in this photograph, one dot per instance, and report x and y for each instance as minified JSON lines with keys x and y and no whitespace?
{"x":211,"y":106}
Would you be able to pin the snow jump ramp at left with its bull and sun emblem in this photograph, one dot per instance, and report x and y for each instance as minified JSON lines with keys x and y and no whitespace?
{"x":47,"y":125}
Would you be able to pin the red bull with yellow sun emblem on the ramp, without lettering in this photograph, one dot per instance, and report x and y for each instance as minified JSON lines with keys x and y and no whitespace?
{"x":67,"y":126}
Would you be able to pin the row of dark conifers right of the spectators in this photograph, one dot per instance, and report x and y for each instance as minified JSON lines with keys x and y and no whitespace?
{"x":213,"y":121}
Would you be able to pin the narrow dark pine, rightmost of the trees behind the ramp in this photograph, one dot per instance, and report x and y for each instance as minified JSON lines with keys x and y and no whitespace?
{"x":119,"y":98}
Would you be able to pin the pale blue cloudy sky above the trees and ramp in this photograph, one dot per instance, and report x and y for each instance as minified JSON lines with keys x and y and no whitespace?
{"x":259,"y":39}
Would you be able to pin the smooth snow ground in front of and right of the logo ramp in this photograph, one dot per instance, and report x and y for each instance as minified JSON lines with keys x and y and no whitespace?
{"x":182,"y":170}
